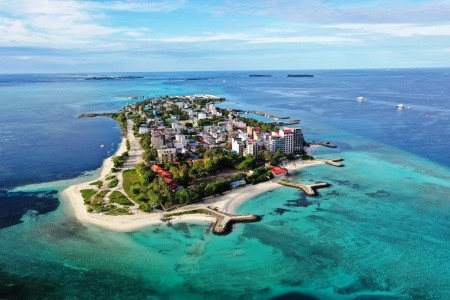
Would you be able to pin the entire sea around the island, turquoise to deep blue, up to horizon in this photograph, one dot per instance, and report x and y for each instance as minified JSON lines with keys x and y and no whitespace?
{"x":381,"y":231}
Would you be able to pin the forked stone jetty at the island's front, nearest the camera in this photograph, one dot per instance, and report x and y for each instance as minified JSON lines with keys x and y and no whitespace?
{"x":223,"y":222}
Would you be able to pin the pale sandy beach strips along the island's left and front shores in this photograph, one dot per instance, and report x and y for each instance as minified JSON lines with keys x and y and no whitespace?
{"x":228,"y":202}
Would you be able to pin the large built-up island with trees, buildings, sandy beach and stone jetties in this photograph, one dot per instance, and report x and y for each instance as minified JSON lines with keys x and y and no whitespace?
{"x":183,"y":158}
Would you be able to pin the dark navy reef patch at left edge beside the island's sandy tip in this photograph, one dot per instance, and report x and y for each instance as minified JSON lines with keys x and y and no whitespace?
{"x":13,"y":206}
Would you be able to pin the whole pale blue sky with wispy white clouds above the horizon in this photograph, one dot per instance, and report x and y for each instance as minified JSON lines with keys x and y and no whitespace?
{"x":47,"y":36}
